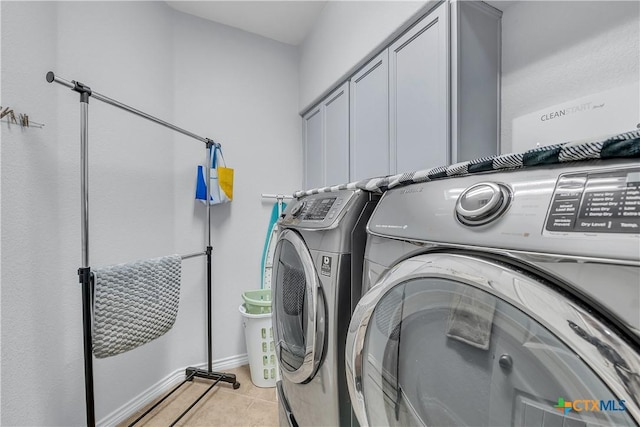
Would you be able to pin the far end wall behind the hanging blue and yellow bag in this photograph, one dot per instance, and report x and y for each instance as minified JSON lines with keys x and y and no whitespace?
{"x":240,"y":90}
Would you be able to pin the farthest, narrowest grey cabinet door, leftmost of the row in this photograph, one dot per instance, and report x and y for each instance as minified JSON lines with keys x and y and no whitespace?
{"x":313,"y":149}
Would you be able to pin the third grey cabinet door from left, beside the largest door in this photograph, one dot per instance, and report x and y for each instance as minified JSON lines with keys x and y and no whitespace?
{"x":369,"y":119}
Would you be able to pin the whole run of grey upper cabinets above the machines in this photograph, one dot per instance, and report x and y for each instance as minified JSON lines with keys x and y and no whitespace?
{"x":429,"y":98}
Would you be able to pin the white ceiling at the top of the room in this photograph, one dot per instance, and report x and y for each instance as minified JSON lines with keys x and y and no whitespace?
{"x":284,"y":21}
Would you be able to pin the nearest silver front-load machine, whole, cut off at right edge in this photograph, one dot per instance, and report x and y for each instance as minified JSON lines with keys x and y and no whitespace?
{"x":502,"y":299}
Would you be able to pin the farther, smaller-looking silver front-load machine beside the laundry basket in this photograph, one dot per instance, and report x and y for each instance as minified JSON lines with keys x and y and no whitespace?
{"x":316,"y":283}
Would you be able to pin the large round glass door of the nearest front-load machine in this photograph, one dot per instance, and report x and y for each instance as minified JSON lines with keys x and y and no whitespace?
{"x":448,"y":339}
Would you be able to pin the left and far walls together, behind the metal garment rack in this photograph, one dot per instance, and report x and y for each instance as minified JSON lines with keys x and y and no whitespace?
{"x":237,"y":88}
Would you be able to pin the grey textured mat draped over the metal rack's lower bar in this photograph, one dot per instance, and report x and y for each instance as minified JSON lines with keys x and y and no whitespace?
{"x":134,"y":303}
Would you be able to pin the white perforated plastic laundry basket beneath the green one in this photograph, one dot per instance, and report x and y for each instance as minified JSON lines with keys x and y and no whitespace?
{"x":261,"y":350}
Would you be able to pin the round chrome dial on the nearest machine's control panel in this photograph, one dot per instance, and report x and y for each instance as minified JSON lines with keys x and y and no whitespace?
{"x":482,"y":203}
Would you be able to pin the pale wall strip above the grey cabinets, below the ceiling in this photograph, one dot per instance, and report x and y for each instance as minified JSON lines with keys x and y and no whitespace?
{"x":346,"y":32}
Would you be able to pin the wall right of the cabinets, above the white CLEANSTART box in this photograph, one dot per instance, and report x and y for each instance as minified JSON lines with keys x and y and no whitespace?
{"x":558,"y":51}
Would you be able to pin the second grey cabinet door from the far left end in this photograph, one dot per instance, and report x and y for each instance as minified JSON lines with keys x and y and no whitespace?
{"x":336,"y":136}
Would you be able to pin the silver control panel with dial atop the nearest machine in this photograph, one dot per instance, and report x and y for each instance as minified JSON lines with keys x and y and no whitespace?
{"x":589,"y":209}
